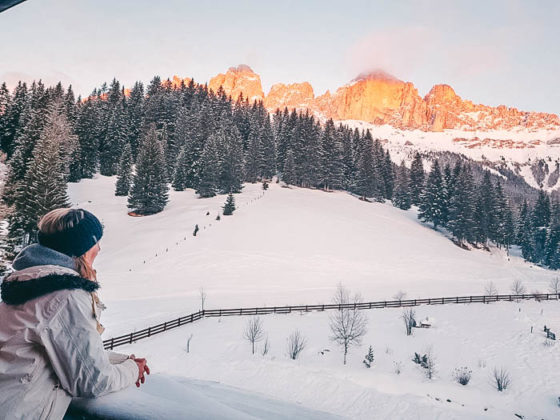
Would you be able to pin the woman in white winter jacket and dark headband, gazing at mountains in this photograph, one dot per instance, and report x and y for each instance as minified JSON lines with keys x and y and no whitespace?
{"x":50,"y":344}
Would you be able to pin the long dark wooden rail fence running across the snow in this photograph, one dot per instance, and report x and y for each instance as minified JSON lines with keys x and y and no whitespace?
{"x":130,"y":338}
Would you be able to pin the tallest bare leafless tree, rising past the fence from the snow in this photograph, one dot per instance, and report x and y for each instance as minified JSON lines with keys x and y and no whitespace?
{"x":348,"y":326}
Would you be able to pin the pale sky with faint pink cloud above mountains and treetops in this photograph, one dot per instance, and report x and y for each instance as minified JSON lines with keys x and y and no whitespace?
{"x":492,"y":52}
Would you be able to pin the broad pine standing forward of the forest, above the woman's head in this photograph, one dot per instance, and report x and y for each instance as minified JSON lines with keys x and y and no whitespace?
{"x":149,"y":192}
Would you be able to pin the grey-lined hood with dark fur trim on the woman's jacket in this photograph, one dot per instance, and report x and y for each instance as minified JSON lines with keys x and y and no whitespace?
{"x":40,"y":271}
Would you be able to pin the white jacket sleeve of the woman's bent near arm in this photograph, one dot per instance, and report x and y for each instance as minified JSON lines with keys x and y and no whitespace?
{"x":76,"y":352}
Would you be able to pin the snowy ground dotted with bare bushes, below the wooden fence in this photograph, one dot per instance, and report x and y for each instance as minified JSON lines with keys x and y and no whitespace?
{"x":477,"y":336}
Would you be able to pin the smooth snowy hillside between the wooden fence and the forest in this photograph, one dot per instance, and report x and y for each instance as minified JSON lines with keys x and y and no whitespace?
{"x":288,"y":246}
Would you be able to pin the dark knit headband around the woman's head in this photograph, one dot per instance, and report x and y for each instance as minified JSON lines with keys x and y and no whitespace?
{"x":75,"y":241}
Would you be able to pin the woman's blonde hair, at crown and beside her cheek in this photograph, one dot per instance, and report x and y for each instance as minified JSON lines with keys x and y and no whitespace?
{"x":58,"y":220}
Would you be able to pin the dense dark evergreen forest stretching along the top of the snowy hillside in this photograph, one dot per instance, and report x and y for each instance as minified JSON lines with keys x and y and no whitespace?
{"x":187,"y":136}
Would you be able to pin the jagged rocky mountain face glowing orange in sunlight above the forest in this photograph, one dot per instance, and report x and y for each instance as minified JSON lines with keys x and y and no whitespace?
{"x":380,"y":98}
